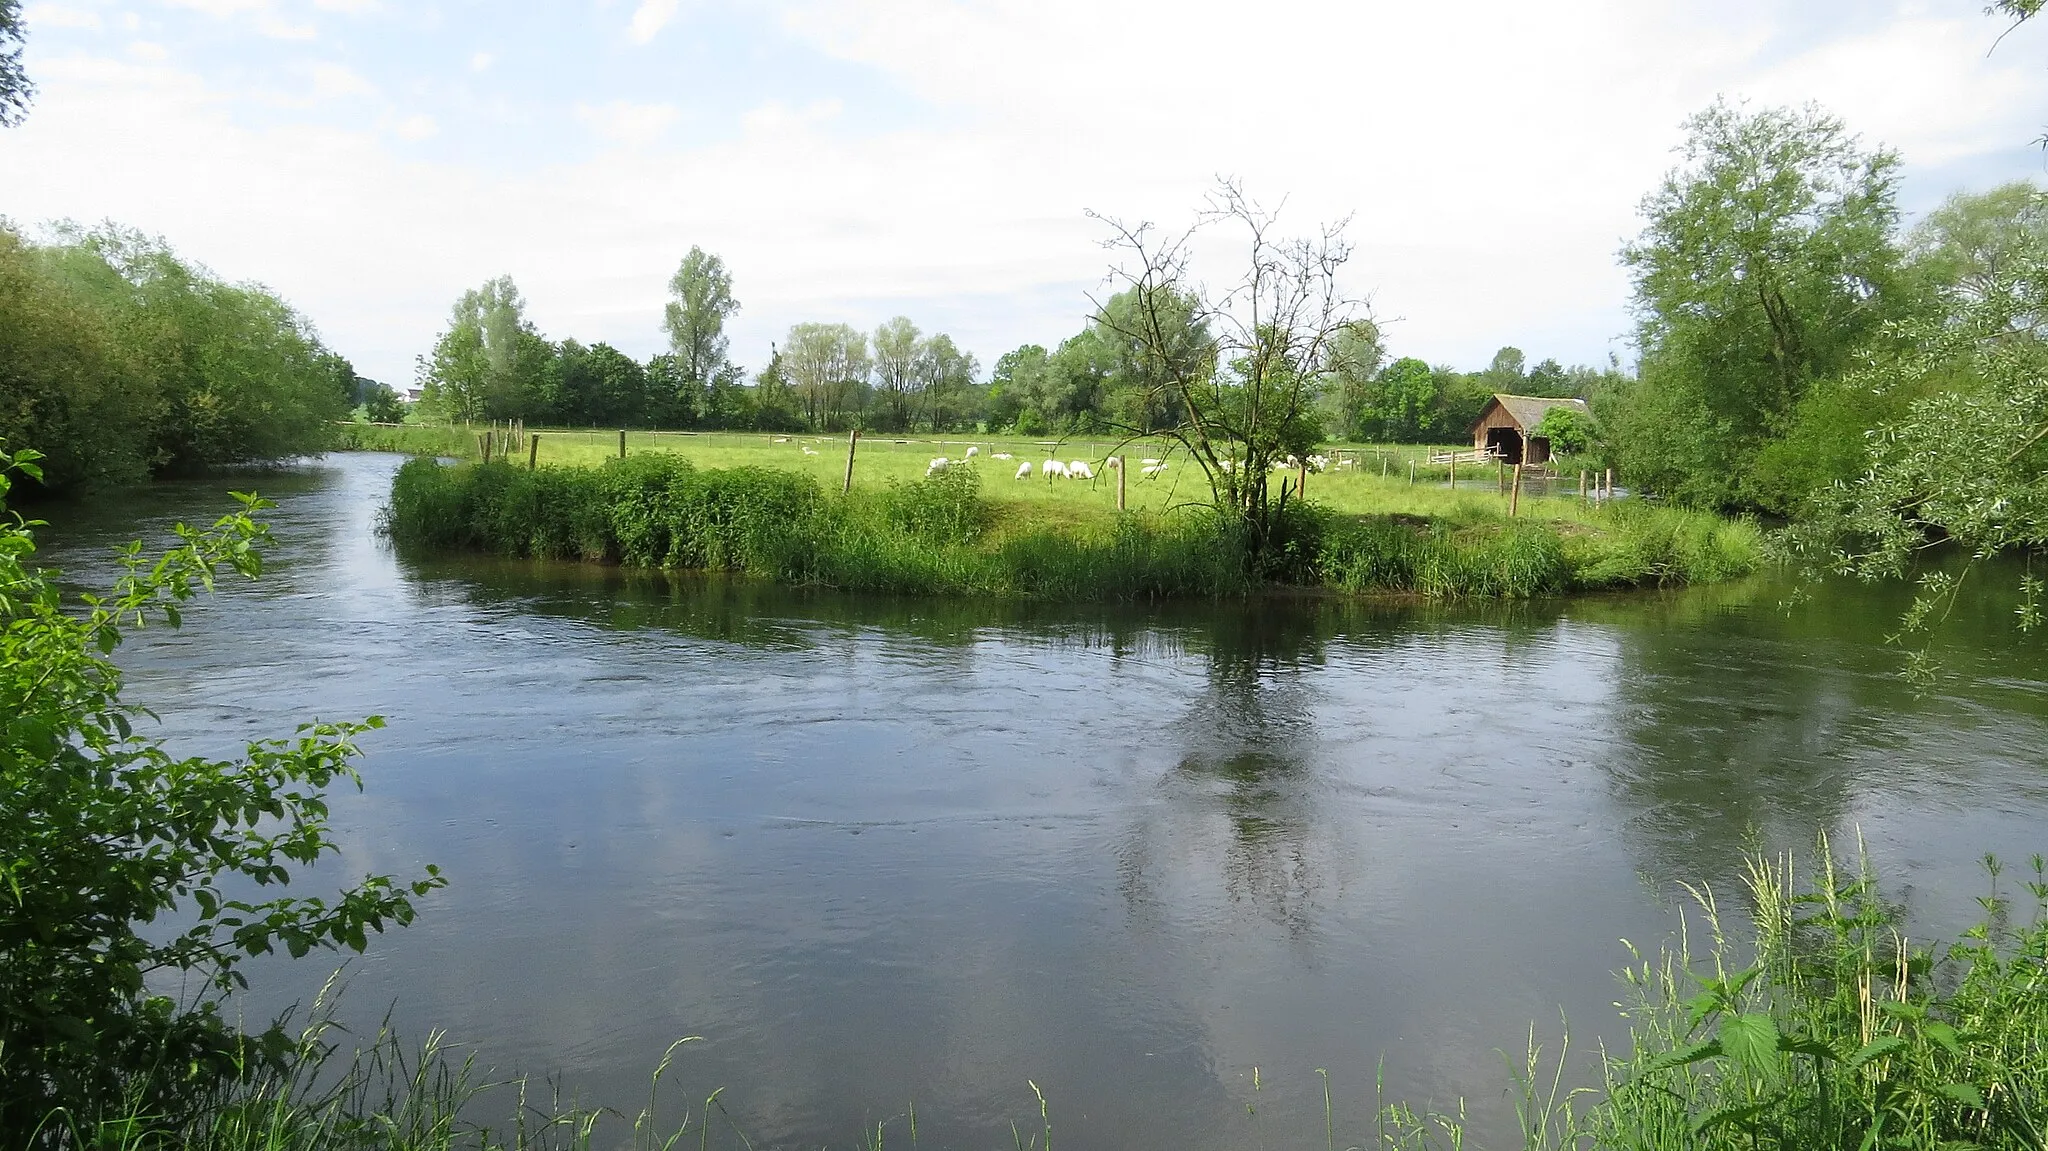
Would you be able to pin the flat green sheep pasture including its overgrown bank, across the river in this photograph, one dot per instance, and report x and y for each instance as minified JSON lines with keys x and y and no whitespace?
{"x":773,"y":507}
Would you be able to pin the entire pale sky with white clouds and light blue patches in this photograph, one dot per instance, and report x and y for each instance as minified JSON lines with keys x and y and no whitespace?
{"x":855,"y":161}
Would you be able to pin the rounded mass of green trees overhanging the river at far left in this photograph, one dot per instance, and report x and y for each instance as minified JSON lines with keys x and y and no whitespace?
{"x":122,"y":361}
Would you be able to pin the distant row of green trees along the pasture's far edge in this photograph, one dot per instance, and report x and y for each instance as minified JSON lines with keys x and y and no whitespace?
{"x":493,"y":364}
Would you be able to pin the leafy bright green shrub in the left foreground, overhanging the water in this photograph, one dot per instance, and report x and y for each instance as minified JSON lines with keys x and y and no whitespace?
{"x":108,"y":837}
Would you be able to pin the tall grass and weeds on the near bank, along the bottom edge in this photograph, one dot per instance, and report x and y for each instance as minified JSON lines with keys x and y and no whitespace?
{"x":1826,"y":1029}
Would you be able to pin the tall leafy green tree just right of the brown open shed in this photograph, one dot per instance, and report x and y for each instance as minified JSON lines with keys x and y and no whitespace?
{"x":1766,"y":265}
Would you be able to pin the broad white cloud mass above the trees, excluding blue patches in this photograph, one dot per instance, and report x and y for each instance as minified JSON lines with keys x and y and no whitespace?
{"x":1494,"y":159}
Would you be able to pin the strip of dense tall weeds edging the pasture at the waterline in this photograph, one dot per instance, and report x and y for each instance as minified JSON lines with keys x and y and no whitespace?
{"x":949,"y":536}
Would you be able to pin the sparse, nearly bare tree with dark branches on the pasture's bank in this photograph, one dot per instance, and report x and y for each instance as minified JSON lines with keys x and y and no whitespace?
{"x":1246,"y":370}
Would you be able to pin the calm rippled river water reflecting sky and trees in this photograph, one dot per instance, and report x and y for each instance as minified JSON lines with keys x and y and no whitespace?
{"x":1162,"y":863}
